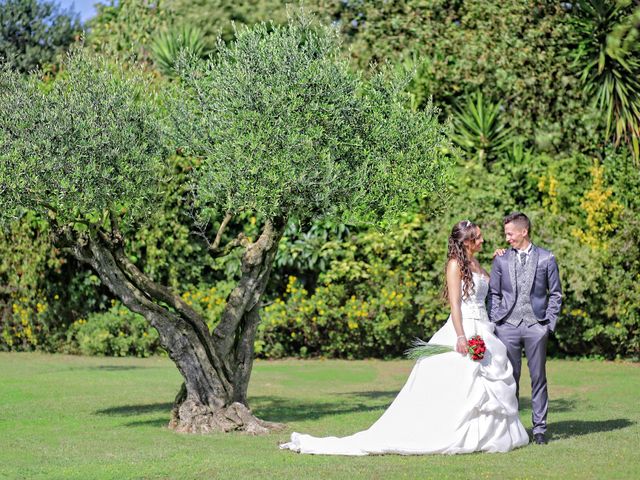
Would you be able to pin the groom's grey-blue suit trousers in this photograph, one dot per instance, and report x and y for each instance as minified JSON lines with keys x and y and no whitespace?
{"x":534,"y":340}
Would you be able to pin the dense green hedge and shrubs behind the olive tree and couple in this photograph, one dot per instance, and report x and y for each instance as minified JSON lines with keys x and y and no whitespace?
{"x":544,"y":104}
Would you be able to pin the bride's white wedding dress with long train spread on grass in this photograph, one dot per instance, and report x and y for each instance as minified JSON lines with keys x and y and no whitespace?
{"x":450,"y":403}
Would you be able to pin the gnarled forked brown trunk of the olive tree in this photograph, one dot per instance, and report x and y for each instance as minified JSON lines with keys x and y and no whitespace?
{"x":216,"y":367}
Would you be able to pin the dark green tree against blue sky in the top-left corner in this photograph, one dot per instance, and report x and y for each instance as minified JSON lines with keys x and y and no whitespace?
{"x":34,"y":32}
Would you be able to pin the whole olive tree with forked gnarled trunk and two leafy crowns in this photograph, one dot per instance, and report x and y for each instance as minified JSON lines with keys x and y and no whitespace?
{"x":279,"y":127}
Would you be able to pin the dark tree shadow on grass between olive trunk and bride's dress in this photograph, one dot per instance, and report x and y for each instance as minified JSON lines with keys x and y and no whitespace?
{"x":279,"y":409}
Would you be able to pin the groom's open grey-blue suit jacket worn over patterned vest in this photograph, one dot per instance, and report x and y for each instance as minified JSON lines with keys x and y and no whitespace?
{"x":546,"y":291}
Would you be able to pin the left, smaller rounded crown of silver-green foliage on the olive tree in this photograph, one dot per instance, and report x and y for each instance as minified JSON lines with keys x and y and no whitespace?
{"x":80,"y":147}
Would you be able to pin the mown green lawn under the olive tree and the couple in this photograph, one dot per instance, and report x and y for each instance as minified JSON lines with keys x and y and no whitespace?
{"x":93,"y":418}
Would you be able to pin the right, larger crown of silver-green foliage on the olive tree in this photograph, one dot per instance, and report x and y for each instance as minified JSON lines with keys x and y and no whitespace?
{"x":285,"y":129}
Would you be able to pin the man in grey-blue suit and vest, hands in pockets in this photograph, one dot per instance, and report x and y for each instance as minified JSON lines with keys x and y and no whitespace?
{"x":525,"y":296}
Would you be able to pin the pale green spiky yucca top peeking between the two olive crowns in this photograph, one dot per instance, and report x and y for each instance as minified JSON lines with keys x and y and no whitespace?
{"x":167,"y":45}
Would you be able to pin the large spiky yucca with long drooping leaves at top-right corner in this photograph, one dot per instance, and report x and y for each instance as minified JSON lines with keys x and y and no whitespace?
{"x":607,"y":58}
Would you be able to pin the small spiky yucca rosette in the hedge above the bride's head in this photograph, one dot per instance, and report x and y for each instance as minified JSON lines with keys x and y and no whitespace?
{"x":479,"y":129}
